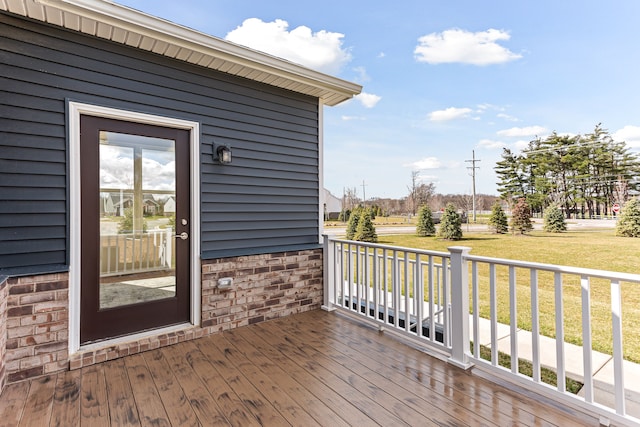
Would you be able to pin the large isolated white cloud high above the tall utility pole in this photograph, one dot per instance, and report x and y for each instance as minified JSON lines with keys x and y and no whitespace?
{"x":465,"y":47}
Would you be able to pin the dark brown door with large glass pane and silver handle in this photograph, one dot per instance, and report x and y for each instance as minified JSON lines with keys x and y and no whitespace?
{"x":134,"y":227}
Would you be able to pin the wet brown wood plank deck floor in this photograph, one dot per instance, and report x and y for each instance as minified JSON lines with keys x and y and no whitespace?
{"x":312,"y":369}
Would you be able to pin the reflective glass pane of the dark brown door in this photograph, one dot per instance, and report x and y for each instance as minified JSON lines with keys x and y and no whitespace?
{"x":137,"y":219}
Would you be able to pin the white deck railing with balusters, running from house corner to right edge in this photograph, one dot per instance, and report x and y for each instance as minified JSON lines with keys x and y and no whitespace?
{"x":469,"y":301}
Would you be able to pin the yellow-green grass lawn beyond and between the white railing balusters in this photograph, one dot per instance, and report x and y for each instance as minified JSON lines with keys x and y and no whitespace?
{"x":597,"y":249}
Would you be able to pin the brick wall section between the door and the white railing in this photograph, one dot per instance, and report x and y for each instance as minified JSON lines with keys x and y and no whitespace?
{"x":264,"y":287}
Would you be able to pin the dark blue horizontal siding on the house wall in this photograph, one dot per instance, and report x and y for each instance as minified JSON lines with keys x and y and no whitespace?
{"x":265,"y":201}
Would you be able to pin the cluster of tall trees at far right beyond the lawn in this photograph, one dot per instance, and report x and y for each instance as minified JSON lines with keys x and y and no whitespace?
{"x":583,"y":174}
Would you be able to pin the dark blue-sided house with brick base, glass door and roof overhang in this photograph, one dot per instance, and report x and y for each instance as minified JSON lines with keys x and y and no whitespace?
{"x":99,"y":98}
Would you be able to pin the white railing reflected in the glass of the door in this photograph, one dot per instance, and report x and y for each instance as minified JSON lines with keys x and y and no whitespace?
{"x":136,"y":252}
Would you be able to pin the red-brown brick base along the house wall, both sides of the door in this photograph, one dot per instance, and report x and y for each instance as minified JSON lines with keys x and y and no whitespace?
{"x":34,"y":337}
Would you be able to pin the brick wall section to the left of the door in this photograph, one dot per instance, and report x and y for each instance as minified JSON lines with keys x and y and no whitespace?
{"x":37,"y":326}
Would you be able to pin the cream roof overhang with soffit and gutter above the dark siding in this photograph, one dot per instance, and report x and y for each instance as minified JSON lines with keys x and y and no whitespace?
{"x":121,"y":24}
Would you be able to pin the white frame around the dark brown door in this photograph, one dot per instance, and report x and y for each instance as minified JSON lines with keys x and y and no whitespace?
{"x":74,"y":111}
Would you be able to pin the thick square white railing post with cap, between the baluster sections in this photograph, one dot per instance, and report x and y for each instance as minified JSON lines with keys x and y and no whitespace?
{"x":459,"y":307}
